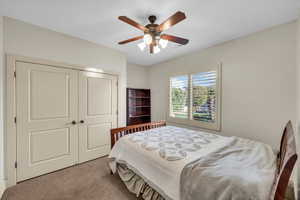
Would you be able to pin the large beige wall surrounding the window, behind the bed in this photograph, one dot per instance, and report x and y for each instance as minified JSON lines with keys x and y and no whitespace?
{"x":258,"y":86}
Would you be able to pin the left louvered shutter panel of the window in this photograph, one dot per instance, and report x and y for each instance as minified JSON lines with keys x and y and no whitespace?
{"x":179,"y":96}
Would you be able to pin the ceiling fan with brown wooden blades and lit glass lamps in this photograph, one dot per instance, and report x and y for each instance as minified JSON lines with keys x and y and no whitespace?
{"x":153,"y":36}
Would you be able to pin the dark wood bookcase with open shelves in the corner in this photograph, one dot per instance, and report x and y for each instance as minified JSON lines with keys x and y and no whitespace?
{"x":138,"y":106}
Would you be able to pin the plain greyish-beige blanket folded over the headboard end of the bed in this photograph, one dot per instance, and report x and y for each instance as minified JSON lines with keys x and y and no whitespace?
{"x":242,"y":170}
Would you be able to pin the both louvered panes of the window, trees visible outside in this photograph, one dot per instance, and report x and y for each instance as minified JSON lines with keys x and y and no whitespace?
{"x":203,"y":94}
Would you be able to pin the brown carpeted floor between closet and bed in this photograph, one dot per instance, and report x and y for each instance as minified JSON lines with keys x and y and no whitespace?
{"x":87,"y":181}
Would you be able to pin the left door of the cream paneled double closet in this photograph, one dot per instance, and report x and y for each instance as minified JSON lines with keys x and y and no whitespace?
{"x":47,"y":103}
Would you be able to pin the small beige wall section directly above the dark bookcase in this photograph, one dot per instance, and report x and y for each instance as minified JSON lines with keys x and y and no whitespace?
{"x":137,"y":76}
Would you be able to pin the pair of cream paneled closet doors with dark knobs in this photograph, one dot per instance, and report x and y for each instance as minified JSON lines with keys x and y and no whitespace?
{"x":64,"y":117}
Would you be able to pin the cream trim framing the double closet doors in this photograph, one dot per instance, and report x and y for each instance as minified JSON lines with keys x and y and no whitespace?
{"x":10,"y":129}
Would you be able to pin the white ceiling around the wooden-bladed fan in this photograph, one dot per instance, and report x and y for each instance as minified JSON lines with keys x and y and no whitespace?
{"x":208,"y":21}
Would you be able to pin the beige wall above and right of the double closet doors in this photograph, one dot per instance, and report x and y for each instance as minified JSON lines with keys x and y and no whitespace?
{"x":32,"y":41}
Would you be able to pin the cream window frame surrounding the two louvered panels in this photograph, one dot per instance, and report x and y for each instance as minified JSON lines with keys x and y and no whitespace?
{"x":216,"y":126}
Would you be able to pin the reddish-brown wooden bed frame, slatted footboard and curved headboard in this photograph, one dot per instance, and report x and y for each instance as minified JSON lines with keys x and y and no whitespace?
{"x":287,"y":156}
